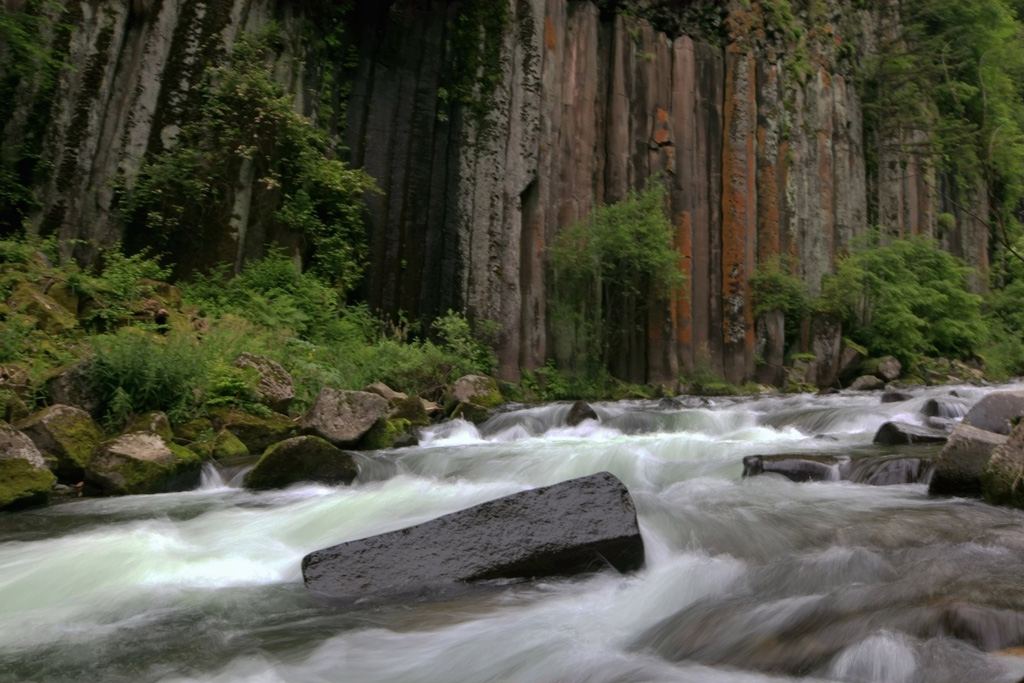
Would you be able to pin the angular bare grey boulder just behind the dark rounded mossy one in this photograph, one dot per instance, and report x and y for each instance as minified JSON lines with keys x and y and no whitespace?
{"x":344,"y":417}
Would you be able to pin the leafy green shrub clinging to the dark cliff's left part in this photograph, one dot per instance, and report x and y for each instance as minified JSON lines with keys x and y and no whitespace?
{"x":248,"y":132}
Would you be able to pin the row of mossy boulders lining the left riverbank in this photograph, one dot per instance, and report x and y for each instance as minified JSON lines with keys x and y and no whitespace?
{"x":63,"y":452}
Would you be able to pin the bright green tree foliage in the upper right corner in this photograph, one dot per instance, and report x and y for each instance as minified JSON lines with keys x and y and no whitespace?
{"x":951,"y":87}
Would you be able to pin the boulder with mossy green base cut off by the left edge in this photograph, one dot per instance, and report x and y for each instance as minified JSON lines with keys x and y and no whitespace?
{"x":25,"y":480}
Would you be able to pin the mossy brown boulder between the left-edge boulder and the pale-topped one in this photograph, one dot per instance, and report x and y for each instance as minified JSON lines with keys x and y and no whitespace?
{"x":66,"y":434}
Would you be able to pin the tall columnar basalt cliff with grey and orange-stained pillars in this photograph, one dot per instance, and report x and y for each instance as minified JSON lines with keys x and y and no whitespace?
{"x":762,"y":152}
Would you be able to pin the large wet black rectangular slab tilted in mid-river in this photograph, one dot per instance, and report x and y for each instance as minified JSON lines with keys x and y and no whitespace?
{"x":579,"y":526}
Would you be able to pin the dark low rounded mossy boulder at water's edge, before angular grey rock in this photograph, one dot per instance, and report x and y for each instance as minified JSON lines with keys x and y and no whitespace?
{"x":303,"y":459}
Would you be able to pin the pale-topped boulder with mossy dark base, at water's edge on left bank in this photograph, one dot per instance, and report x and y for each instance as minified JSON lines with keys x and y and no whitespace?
{"x":142,"y":463}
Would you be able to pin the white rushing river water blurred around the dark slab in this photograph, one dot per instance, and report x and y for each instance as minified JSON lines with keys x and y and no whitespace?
{"x":746,"y":580}
